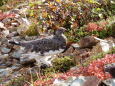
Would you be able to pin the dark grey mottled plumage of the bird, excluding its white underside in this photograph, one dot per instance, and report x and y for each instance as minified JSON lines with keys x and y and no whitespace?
{"x":54,"y":42}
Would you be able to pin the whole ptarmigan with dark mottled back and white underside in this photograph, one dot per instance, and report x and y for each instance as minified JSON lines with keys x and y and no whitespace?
{"x":43,"y":49}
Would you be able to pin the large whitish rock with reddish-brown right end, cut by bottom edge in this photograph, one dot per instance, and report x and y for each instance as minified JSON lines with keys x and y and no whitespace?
{"x":78,"y":81}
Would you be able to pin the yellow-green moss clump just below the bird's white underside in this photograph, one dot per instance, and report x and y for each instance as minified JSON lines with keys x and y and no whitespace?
{"x":60,"y":65}
